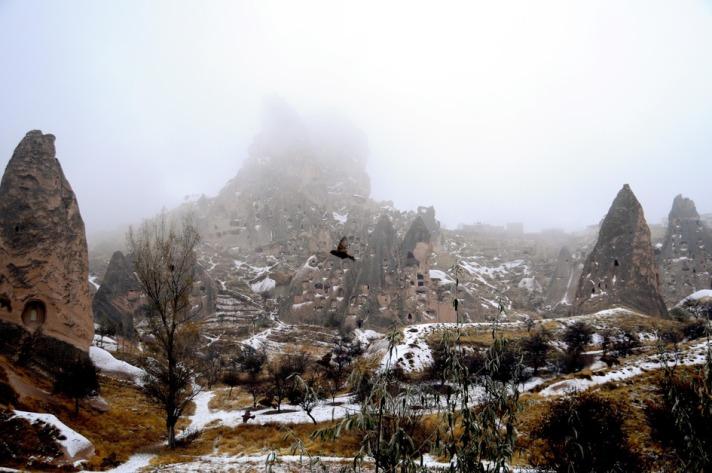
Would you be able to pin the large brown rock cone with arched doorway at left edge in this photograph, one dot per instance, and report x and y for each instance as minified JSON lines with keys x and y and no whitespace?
{"x":43,"y":249}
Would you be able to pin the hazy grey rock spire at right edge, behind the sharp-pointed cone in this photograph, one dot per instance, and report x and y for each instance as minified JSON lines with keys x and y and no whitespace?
{"x":686,"y":254}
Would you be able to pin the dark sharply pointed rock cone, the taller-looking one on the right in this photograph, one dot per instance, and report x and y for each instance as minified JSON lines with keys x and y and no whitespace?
{"x":621,"y":269}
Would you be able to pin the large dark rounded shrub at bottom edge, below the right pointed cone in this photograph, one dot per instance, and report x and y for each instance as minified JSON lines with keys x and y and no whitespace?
{"x":583,"y":433}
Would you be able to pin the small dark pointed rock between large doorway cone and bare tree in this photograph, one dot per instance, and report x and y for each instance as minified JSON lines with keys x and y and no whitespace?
{"x":118,"y":297}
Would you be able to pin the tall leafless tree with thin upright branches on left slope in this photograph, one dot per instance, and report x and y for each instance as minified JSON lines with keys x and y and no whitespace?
{"x":164,"y":262}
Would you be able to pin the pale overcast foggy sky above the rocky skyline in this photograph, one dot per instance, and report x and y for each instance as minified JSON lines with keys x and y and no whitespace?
{"x":492,"y":111}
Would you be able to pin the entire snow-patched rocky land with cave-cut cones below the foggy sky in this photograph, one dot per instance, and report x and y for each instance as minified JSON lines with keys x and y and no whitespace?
{"x":434,"y":349}
